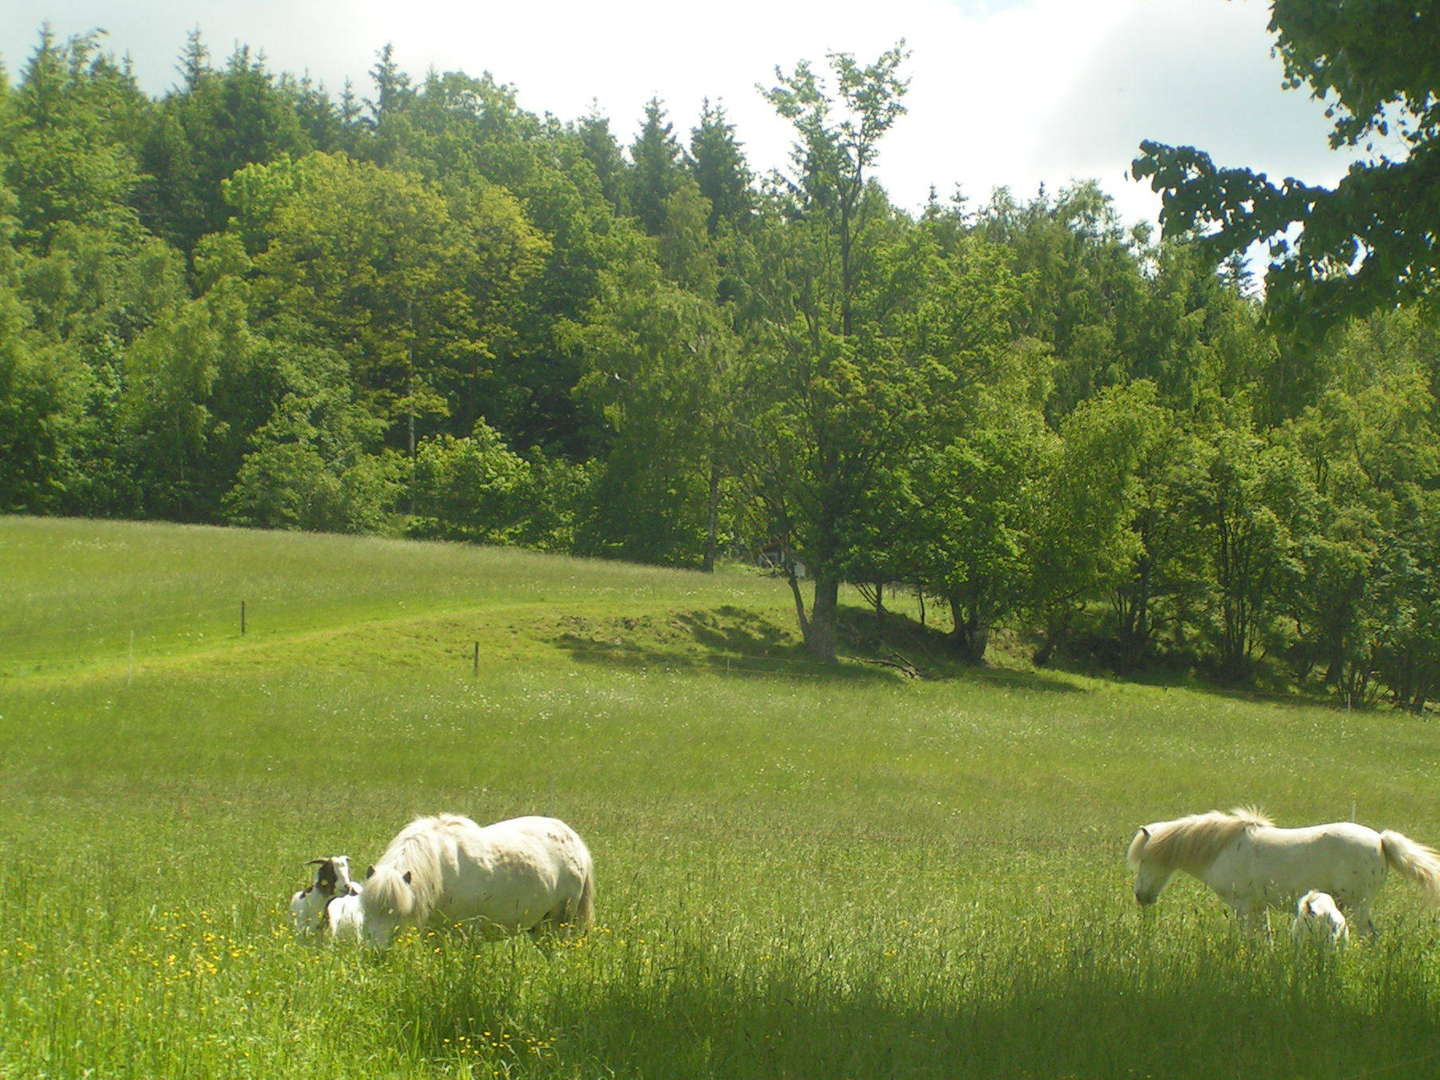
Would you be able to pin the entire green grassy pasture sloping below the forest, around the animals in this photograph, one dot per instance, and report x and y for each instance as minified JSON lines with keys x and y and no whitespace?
{"x":803,"y":873}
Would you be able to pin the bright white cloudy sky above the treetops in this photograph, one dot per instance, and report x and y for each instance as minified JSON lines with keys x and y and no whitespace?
{"x":1003,"y":93}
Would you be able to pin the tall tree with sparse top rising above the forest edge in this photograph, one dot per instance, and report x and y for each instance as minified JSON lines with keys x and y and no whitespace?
{"x":827,"y":378}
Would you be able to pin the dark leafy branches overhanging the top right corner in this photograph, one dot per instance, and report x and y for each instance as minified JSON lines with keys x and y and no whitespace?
{"x":1372,"y":241}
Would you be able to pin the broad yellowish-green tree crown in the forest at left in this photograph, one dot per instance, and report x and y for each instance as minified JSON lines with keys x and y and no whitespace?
{"x":413,"y":287}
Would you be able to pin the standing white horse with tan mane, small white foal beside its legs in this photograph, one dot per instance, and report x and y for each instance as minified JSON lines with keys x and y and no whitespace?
{"x":1254,"y":866}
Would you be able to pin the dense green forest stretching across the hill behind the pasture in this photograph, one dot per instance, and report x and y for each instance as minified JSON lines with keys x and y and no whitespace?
{"x":428,"y":313}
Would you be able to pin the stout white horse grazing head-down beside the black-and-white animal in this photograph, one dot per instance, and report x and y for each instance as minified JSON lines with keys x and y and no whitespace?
{"x":522,"y":875}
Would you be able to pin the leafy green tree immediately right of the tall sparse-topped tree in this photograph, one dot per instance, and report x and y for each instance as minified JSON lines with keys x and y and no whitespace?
{"x":957,"y":509}
